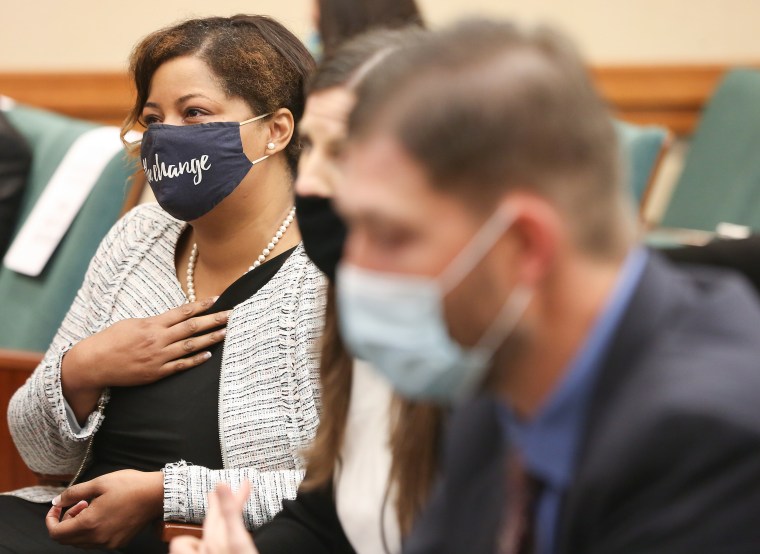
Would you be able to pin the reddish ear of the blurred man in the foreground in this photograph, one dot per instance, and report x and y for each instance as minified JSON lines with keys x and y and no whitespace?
{"x":538,"y":231}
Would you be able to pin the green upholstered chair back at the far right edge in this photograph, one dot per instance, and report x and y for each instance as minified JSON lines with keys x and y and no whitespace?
{"x":720,"y":181}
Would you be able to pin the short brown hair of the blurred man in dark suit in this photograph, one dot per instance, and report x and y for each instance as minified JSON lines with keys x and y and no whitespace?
{"x":486,"y":107}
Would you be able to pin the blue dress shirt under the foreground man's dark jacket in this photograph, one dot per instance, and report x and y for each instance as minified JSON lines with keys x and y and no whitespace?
{"x":548,"y":443}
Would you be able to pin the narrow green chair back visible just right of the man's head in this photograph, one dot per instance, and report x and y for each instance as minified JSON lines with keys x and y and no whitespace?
{"x":641,"y":148}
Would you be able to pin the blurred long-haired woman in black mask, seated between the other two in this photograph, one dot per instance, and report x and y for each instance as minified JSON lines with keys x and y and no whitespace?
{"x":375,"y":456}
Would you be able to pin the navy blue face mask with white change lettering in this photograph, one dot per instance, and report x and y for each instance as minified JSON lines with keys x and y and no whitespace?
{"x":192,"y":168}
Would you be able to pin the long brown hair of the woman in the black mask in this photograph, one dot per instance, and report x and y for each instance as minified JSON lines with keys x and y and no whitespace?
{"x":415,"y":427}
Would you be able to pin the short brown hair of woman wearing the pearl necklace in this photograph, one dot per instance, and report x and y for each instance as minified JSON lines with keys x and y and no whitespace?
{"x":254,"y":57}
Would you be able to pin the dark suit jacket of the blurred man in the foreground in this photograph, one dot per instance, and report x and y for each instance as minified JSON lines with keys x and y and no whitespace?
{"x":670,"y":461}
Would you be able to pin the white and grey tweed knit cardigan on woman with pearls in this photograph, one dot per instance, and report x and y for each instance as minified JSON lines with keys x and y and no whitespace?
{"x":269,"y":390}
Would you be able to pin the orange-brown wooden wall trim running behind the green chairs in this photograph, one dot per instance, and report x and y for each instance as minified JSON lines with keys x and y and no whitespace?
{"x":670,"y":95}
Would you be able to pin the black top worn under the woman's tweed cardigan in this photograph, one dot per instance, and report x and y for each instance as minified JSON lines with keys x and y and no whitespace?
{"x":176,"y":418}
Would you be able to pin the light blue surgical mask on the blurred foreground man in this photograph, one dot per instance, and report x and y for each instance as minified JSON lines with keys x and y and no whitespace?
{"x":396,"y":322}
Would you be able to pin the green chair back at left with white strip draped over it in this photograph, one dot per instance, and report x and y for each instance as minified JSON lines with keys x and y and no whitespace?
{"x":33,"y":307}
